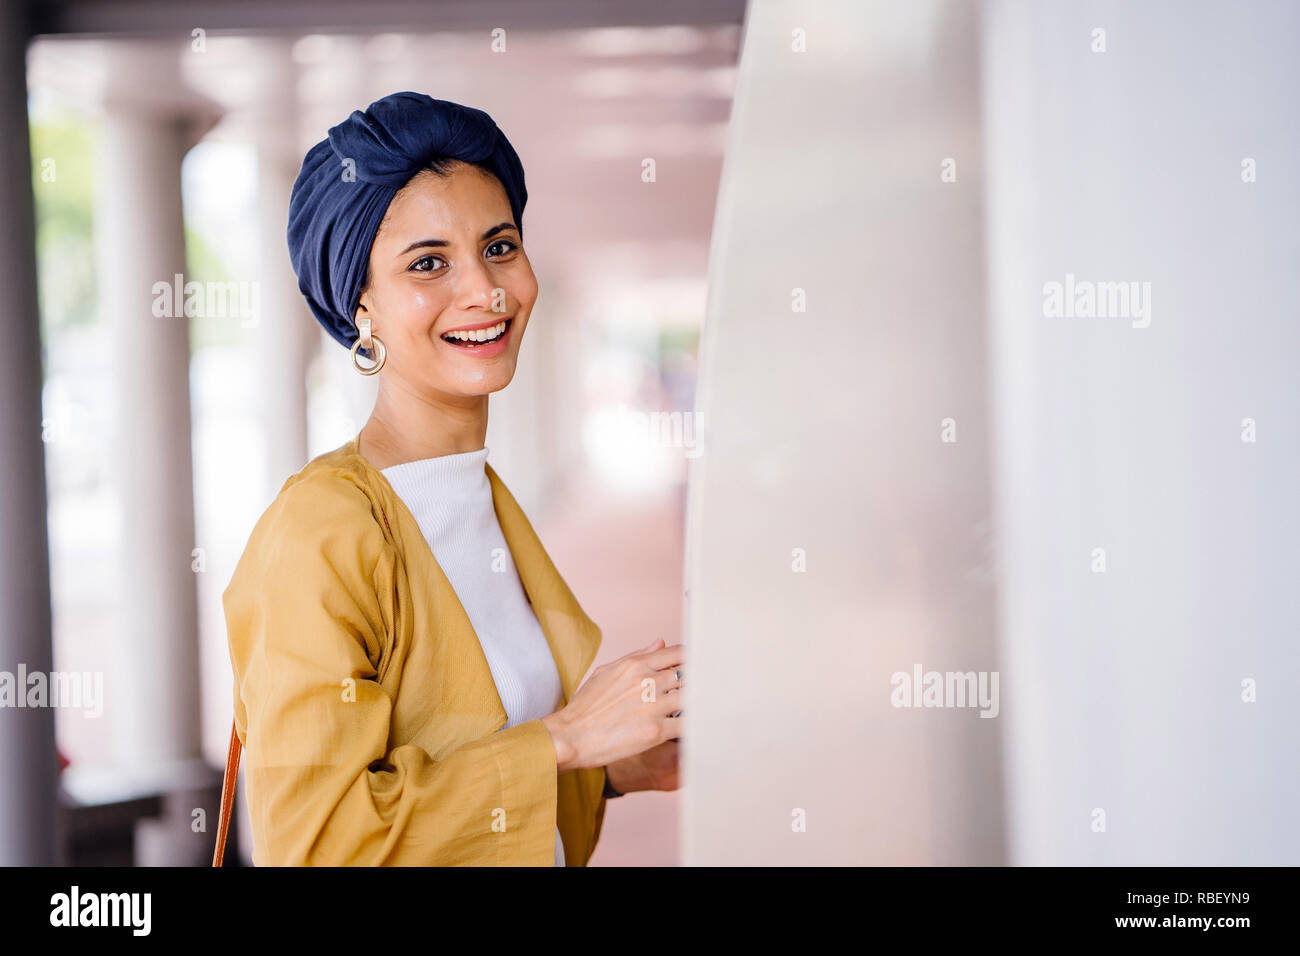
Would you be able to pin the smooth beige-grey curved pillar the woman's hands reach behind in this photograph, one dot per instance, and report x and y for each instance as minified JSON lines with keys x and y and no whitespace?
{"x":837,"y":524}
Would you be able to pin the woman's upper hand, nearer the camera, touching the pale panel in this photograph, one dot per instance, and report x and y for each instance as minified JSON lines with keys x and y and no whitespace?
{"x":610,"y":716}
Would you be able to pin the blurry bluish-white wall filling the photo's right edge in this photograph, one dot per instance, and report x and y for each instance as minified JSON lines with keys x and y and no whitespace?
{"x":1124,"y":690}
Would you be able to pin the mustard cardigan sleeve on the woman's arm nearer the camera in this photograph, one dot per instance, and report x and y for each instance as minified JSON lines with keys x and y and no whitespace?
{"x":309,"y":612}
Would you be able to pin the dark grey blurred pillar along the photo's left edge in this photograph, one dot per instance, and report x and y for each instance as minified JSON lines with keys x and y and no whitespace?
{"x":28,"y":785}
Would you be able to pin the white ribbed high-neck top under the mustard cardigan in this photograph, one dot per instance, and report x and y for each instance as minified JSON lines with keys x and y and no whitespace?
{"x":450,"y":498}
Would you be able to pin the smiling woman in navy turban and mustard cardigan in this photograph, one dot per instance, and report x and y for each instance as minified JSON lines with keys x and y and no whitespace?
{"x":406,"y":655}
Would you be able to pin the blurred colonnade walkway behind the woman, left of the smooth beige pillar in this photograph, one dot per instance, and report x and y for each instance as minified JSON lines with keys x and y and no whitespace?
{"x":164,"y":144}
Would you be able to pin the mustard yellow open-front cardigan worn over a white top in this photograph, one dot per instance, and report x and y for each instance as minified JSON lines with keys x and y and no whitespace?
{"x":366,"y":707}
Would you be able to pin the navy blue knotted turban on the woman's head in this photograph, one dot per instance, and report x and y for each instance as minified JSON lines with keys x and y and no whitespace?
{"x":350,"y":178}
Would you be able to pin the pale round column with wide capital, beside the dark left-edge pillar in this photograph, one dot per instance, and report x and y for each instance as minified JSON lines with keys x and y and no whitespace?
{"x":149,"y":124}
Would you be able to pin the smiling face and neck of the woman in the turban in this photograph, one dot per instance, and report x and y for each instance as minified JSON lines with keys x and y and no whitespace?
{"x":452,"y":309}
